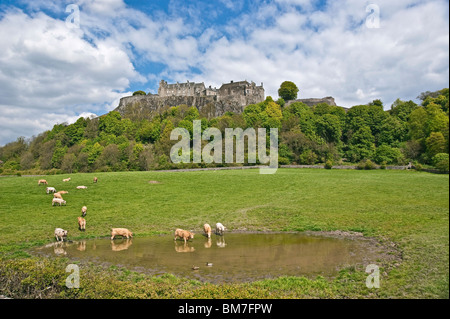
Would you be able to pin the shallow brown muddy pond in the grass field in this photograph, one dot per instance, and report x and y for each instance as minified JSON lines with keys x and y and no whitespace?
{"x":235,"y":257}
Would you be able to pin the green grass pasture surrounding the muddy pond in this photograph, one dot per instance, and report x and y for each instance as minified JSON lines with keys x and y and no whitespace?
{"x":405,"y":207}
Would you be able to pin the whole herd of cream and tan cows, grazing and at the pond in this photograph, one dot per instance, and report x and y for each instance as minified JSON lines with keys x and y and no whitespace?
{"x":61,"y":234}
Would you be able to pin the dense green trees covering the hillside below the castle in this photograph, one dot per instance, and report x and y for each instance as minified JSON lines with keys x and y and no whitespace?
{"x":323,"y":134}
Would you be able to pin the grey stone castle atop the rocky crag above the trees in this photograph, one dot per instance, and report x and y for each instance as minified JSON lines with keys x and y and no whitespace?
{"x":212,"y":102}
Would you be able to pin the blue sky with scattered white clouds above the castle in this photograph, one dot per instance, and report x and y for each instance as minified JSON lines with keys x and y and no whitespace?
{"x":63,"y":59}
